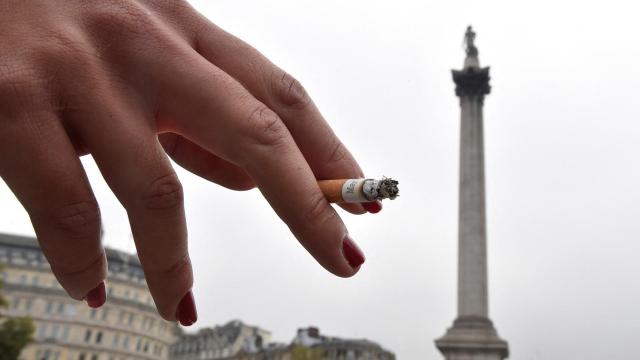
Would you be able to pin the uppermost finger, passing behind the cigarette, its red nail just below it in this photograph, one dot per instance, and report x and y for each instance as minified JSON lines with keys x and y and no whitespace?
{"x":328,"y":157}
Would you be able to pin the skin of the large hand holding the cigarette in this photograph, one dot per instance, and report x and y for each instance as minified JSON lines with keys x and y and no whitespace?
{"x":134,"y":83}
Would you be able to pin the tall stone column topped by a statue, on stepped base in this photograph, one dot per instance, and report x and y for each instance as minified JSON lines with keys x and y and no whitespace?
{"x":472,"y":336}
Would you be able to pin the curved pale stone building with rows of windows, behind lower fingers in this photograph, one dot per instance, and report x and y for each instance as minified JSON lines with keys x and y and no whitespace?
{"x":127,"y":327}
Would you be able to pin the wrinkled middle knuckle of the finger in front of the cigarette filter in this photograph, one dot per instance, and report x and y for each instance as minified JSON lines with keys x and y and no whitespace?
{"x":266,"y":128}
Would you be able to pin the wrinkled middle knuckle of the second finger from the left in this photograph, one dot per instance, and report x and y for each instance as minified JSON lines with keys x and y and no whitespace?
{"x":163,"y":193}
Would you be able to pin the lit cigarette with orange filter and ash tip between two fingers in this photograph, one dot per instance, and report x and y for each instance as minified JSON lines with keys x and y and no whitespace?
{"x":358,"y":190}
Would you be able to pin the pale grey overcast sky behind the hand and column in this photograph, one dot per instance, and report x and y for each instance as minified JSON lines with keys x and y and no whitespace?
{"x":562,"y":146}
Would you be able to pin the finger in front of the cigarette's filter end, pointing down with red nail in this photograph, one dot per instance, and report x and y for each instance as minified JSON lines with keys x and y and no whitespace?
{"x":212,"y":109}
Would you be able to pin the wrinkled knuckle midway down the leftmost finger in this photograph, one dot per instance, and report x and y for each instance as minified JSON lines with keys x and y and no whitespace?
{"x":77,"y":220}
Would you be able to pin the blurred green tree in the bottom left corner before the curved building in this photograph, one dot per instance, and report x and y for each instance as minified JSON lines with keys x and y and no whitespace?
{"x":15,"y":333}
